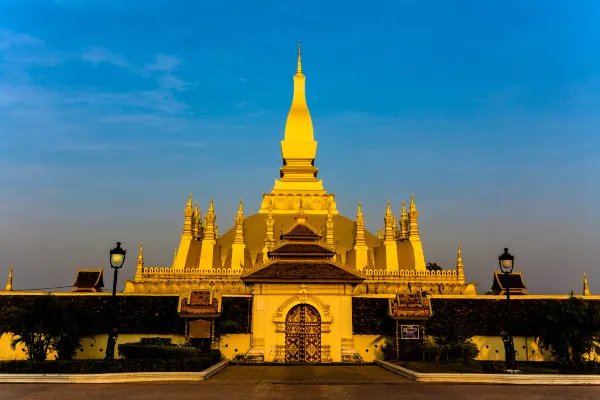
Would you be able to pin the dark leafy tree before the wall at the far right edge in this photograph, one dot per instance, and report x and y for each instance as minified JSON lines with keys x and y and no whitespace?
{"x":570,"y":329}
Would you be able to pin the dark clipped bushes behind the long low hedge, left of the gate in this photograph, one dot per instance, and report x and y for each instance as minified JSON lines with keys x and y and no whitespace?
{"x":141,"y":351}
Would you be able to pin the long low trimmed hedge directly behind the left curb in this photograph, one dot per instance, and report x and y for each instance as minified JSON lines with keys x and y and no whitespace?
{"x":103,"y":366}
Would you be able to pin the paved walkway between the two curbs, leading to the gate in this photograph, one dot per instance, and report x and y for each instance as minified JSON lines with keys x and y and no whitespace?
{"x":308,"y":374}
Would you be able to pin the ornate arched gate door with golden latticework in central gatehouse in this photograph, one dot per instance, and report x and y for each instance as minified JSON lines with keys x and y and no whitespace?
{"x":303,"y":334}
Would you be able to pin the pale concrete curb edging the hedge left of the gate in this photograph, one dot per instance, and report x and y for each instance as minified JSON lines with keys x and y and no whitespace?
{"x":132,"y":377}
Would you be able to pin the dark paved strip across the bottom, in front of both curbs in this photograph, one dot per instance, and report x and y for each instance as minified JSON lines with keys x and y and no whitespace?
{"x":292,"y":392}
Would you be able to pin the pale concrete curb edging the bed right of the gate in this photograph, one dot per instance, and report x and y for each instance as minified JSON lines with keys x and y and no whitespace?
{"x":497,"y":379}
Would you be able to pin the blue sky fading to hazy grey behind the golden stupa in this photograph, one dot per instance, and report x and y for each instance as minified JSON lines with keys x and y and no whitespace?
{"x":112,"y":111}
